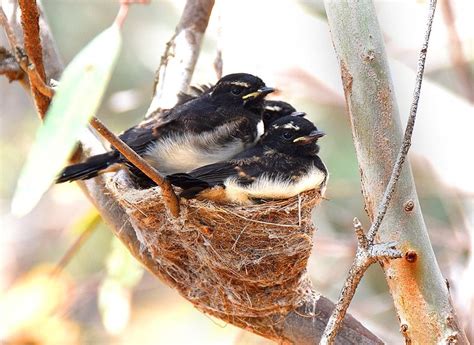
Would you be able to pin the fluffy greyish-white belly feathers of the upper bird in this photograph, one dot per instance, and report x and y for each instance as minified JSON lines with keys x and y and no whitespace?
{"x":184,"y":152}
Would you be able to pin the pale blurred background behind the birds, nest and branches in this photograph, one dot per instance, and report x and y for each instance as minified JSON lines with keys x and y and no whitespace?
{"x":102,"y":296}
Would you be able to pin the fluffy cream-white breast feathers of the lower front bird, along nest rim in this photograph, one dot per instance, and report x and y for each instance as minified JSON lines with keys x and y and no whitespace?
{"x":265,"y":187}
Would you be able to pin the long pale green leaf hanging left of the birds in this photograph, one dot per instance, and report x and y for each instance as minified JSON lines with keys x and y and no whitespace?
{"x":77,"y":98}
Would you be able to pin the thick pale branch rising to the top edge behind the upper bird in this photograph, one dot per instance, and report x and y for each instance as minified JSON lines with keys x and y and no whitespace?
{"x":177,"y":64}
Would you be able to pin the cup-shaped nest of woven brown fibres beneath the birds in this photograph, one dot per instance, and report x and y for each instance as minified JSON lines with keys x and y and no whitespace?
{"x":228,"y":260}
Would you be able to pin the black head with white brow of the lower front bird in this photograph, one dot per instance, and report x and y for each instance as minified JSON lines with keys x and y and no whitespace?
{"x":293,"y":135}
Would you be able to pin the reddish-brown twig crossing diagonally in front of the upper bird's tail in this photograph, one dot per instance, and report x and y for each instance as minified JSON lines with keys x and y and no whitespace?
{"x":170,"y":198}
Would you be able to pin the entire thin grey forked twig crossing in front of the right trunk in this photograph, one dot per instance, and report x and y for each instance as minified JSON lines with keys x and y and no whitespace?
{"x":368,"y":252}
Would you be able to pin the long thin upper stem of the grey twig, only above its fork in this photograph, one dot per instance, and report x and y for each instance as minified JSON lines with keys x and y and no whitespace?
{"x":406,"y":143}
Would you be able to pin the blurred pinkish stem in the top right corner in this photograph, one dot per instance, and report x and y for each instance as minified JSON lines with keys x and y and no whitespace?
{"x":458,"y":58}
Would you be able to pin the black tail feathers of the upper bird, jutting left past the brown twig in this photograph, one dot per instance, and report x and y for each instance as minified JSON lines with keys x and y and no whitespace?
{"x":90,"y":168}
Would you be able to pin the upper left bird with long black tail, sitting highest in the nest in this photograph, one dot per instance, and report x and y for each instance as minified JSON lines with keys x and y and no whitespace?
{"x":216,"y":125}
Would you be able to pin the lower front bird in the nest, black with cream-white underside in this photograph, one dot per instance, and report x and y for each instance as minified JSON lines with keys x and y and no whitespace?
{"x":283,"y":164}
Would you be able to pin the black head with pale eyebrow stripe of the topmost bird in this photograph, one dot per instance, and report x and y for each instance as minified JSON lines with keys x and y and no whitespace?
{"x":241,"y":89}
